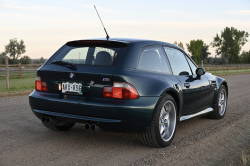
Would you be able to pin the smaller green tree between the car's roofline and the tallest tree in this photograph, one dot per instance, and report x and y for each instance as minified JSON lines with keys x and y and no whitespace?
{"x":198,"y":49}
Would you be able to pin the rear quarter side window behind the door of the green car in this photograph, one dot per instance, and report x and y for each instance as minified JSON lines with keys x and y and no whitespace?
{"x":154,"y":59}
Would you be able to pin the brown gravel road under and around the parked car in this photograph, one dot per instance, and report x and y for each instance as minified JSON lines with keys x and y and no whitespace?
{"x":201,"y":141}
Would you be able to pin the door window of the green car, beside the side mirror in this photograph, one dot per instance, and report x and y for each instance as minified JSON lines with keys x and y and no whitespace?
{"x":178,"y":62}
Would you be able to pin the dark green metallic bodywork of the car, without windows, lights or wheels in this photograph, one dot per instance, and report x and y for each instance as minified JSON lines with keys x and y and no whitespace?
{"x":133,"y":114}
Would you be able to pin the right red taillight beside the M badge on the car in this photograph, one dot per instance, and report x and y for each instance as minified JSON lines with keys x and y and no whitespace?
{"x":120,"y":90}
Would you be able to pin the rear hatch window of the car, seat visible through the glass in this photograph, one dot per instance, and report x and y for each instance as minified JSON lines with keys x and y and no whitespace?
{"x":90,"y":53}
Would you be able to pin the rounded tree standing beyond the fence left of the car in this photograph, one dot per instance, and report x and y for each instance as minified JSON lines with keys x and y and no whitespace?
{"x":15,"y":49}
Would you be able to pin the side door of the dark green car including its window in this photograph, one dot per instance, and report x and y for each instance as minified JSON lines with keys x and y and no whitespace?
{"x":195,"y":92}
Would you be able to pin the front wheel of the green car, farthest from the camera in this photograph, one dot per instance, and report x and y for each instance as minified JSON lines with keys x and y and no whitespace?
{"x":221,"y":104}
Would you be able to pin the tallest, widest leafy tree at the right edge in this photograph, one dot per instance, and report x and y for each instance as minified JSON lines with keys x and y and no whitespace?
{"x":230,"y":43}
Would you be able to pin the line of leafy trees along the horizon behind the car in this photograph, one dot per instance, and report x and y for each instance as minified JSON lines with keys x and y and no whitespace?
{"x":228,"y":46}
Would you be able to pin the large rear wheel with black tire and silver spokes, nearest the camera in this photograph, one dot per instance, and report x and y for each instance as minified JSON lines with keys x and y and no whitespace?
{"x":153,"y":136}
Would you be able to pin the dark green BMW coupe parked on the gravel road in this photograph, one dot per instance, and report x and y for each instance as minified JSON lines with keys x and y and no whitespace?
{"x":122,"y":85}
